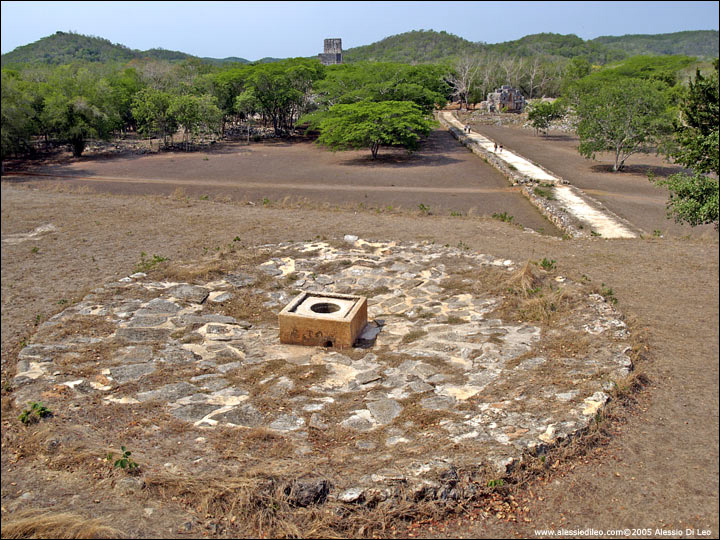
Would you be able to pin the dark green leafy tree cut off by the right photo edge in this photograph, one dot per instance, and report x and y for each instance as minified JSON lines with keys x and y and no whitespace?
{"x":694,"y":198}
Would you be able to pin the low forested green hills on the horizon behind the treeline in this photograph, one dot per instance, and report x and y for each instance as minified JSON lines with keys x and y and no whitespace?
{"x":415,"y":47}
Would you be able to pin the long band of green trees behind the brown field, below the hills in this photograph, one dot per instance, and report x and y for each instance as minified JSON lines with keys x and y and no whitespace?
{"x":83,"y":100}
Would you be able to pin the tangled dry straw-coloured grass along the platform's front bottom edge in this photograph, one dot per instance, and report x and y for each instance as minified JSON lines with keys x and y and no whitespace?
{"x":259,"y":503}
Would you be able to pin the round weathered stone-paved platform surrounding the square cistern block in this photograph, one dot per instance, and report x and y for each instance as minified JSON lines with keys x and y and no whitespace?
{"x":452,"y":381}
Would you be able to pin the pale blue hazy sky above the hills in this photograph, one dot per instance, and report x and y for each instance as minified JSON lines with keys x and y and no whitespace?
{"x":254,"y":30}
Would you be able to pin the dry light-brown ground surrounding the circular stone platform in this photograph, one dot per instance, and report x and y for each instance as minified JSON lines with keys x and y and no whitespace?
{"x":660,"y":471}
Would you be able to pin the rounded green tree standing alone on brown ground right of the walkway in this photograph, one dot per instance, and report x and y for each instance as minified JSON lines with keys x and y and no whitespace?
{"x":624,"y":117}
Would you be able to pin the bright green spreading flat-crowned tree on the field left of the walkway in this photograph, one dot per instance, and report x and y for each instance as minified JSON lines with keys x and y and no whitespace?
{"x":370,"y":125}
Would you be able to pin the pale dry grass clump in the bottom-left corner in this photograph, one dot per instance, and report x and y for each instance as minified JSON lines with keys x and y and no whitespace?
{"x":37,"y":524}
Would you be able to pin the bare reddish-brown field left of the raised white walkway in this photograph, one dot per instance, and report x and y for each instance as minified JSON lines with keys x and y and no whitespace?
{"x":442,"y":175}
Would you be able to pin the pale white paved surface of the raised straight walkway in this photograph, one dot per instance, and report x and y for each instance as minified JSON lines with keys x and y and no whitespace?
{"x":570,"y":198}
